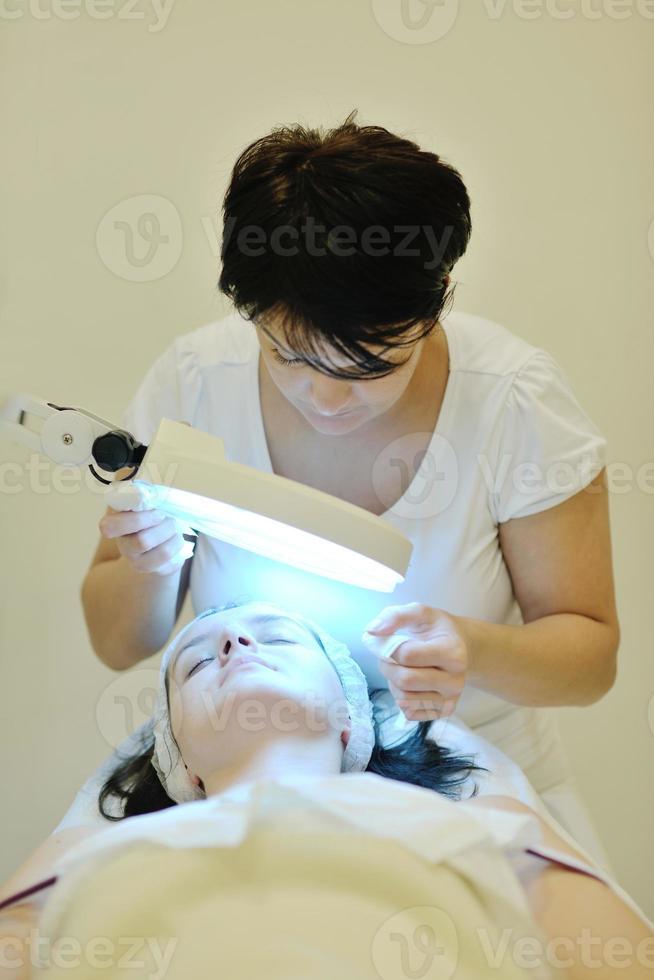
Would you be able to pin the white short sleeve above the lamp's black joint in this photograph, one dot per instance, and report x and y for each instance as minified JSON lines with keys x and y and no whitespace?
{"x":170,"y":389}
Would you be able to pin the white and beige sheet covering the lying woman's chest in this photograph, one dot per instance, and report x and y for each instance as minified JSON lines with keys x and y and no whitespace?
{"x":294,"y":864}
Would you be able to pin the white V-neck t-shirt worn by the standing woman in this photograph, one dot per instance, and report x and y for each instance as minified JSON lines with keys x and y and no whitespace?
{"x":511,"y":440}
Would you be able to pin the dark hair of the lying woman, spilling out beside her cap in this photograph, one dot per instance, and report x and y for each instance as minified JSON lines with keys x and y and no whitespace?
{"x":418,"y":759}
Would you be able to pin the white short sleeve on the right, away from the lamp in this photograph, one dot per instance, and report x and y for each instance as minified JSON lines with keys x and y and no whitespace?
{"x":548,"y":447}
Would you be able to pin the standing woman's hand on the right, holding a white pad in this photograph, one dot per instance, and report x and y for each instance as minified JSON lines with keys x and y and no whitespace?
{"x":426,"y":675}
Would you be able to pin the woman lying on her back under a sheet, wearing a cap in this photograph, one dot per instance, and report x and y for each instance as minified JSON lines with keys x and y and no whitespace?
{"x":263,"y":817}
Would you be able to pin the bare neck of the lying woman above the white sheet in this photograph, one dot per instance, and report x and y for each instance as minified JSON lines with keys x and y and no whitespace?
{"x":281,"y":761}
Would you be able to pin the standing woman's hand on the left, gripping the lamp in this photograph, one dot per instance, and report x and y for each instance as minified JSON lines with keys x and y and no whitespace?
{"x":149,"y":540}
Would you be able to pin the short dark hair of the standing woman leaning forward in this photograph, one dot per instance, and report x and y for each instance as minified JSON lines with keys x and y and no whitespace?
{"x":364,"y":180}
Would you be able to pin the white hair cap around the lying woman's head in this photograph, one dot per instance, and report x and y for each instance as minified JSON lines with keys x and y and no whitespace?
{"x":168,"y":762}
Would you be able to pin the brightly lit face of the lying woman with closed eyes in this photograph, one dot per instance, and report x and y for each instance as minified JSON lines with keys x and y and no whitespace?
{"x":247,"y":678}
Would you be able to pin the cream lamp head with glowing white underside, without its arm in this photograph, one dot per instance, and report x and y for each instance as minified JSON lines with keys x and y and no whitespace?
{"x":269,"y":514}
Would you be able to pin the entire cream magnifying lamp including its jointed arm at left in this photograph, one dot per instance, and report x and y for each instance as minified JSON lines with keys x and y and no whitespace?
{"x":186,"y":475}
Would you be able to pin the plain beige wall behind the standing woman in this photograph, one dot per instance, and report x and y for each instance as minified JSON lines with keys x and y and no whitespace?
{"x":543,"y":108}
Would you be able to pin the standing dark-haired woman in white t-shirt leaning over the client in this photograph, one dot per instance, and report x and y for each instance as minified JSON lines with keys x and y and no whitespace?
{"x":342,"y":369}
